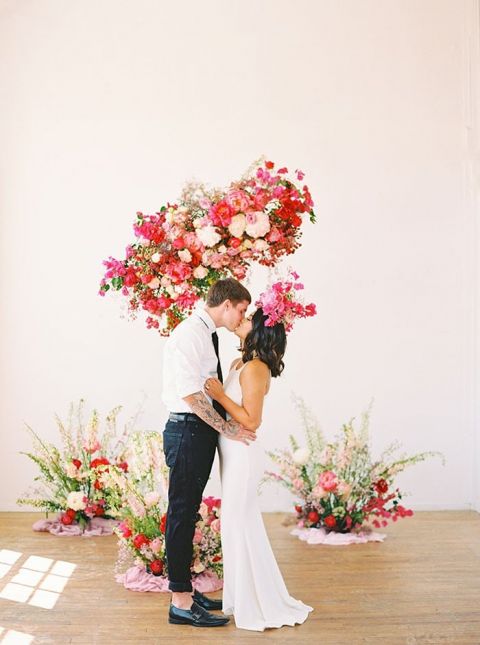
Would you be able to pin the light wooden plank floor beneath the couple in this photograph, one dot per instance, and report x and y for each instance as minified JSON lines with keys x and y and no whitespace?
{"x":422,"y":585}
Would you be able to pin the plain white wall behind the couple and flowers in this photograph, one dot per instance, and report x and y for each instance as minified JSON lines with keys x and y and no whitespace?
{"x":108,"y":106}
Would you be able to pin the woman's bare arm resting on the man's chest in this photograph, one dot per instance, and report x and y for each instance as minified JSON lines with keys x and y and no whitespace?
{"x":253,"y":380}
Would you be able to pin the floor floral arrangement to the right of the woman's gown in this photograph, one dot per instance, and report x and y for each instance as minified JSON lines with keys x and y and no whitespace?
{"x":339,"y":487}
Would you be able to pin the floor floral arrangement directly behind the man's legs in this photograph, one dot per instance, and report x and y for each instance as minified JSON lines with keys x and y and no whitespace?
{"x":141,"y":506}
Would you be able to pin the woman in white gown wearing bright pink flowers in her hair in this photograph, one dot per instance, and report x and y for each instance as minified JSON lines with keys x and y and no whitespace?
{"x":254,"y":590}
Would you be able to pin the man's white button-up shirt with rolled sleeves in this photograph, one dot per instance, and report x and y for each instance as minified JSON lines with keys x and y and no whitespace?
{"x":189,"y":359}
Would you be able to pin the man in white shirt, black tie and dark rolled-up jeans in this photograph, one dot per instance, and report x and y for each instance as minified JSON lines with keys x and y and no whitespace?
{"x":190,"y":438}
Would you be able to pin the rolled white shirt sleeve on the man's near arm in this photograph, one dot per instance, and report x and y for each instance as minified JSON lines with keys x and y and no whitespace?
{"x":188,"y":356}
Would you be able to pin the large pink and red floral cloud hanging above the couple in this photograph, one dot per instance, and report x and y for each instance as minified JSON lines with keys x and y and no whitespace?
{"x":210,"y":234}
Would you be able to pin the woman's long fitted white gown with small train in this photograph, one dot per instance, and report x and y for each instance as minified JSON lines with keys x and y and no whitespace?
{"x":253,"y":587}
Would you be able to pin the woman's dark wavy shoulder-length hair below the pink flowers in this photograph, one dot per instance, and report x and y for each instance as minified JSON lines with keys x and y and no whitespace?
{"x":266,"y":343}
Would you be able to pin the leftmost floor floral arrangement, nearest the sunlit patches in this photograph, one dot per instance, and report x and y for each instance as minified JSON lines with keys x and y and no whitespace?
{"x":71,"y":477}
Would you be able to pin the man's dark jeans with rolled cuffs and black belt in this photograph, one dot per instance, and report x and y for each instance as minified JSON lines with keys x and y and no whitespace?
{"x":189,"y":448}
